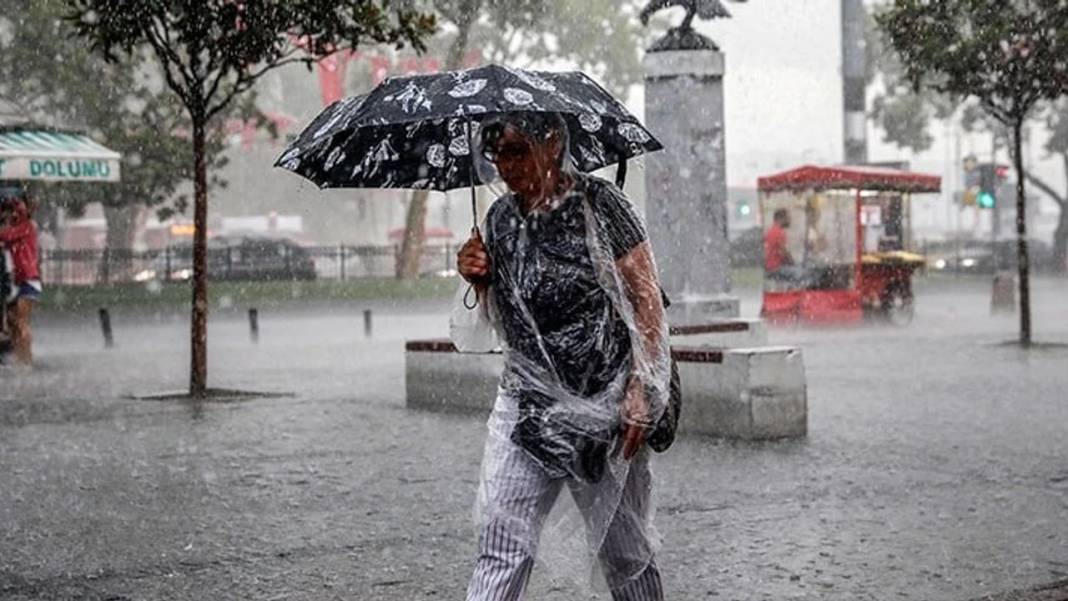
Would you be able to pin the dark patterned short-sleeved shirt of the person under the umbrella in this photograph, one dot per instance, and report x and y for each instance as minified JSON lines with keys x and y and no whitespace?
{"x":545,"y":283}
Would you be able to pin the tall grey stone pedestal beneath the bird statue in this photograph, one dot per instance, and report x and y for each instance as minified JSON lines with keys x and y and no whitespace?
{"x":686,"y":205}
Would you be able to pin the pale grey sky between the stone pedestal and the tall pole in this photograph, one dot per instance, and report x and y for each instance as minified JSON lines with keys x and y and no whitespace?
{"x":783,"y":86}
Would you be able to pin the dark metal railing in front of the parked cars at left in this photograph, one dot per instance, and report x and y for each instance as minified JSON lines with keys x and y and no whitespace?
{"x":342,"y":262}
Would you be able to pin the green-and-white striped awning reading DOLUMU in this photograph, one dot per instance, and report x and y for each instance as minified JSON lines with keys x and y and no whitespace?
{"x":55,"y":156}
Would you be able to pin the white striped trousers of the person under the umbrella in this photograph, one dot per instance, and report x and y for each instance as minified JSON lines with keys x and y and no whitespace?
{"x":521,"y":499}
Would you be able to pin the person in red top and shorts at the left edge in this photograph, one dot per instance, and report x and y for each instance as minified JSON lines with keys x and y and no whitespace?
{"x":19,"y":235}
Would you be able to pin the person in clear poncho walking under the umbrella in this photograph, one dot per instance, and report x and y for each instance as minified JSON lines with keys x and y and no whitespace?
{"x":566,"y":278}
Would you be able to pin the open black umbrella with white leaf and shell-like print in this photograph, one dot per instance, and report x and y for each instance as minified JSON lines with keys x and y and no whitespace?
{"x":416,"y":132}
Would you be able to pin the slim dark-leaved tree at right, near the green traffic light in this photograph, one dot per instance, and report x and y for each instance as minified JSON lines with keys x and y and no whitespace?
{"x":1010,"y":56}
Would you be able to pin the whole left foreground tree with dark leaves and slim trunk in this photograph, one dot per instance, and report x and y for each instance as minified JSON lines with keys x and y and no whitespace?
{"x":211,"y":53}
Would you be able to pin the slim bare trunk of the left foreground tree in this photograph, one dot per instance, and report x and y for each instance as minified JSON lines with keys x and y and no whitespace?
{"x":198,"y":373}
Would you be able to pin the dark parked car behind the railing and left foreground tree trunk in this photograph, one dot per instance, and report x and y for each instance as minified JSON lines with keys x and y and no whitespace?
{"x":245,"y":259}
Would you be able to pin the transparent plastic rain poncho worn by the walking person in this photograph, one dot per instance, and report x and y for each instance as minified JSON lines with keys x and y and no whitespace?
{"x":574,"y":303}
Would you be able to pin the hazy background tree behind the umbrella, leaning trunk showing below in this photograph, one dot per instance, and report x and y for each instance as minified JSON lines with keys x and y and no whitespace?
{"x":601,"y":37}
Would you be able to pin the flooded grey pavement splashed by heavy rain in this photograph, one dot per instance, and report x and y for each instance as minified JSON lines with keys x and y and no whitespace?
{"x":936,"y":467}
